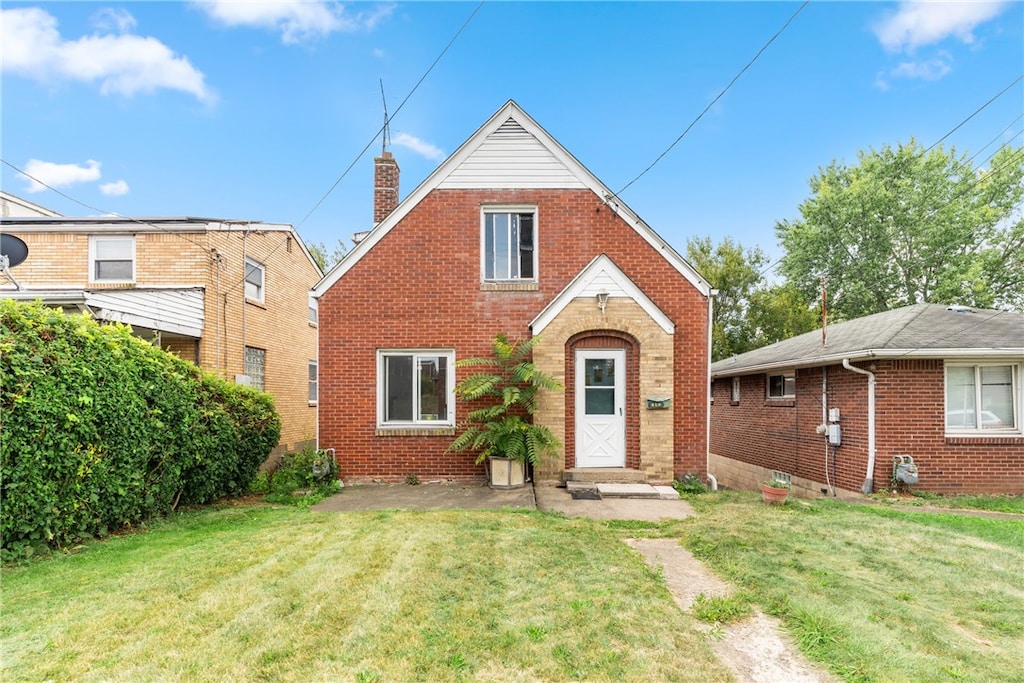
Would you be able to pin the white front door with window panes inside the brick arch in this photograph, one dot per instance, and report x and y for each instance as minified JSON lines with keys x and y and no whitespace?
{"x":601,"y":409}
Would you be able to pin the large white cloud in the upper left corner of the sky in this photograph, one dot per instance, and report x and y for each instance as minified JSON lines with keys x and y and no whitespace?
{"x":122,"y":64}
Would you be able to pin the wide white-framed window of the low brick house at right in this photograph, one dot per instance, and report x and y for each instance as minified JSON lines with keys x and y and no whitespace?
{"x":984,"y":399}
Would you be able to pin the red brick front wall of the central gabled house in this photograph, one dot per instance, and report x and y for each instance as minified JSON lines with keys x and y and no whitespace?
{"x":420,"y":288}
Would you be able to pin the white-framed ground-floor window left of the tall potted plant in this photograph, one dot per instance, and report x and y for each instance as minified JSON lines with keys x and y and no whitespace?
{"x":416,"y":389}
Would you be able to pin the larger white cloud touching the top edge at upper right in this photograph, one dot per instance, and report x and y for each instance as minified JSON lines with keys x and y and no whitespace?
{"x":919,"y":24}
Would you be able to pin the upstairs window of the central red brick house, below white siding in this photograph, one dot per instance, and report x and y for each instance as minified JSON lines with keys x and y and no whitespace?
{"x":509,"y":240}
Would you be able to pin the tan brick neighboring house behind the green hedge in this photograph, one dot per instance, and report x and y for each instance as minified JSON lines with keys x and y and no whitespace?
{"x":232,"y":296}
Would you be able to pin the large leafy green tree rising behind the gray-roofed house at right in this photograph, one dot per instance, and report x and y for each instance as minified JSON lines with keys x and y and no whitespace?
{"x":909,"y":226}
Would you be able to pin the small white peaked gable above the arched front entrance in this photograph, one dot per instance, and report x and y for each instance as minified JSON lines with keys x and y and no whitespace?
{"x":602,"y":275}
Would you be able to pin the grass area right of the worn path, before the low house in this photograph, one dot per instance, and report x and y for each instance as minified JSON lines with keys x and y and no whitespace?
{"x":876,"y":593}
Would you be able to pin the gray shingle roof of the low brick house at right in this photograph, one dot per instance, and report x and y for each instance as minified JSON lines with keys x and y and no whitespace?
{"x":923,"y":330}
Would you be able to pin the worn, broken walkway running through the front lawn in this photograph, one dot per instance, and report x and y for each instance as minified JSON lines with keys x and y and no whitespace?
{"x":756,"y":651}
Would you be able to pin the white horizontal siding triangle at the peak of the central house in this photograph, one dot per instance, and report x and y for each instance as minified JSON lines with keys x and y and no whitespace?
{"x":511,"y":158}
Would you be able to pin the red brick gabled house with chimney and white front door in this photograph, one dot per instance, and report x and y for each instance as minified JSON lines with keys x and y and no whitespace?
{"x":513,"y":235}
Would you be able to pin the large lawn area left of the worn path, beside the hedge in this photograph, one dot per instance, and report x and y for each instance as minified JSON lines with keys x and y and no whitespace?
{"x":280,"y":593}
